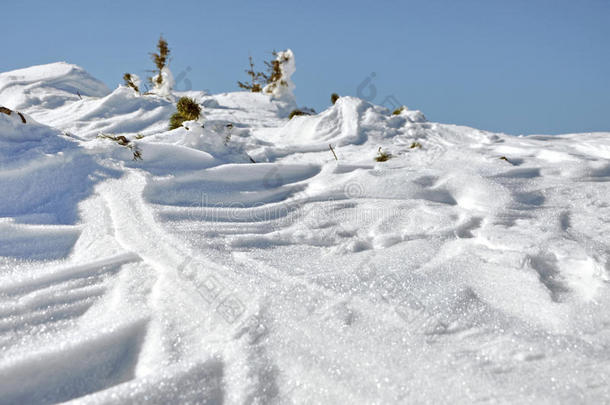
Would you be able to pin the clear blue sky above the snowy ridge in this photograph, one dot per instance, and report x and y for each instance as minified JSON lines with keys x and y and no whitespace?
{"x":516,"y":66}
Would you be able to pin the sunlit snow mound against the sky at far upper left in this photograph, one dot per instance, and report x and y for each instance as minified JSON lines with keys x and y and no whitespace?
{"x":47,"y":86}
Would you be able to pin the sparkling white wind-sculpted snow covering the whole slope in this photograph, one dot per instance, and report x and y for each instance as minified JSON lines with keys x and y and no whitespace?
{"x":443,"y":275}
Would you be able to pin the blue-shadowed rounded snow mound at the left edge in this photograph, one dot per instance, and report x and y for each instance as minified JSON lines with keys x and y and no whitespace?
{"x":43,"y":174}
